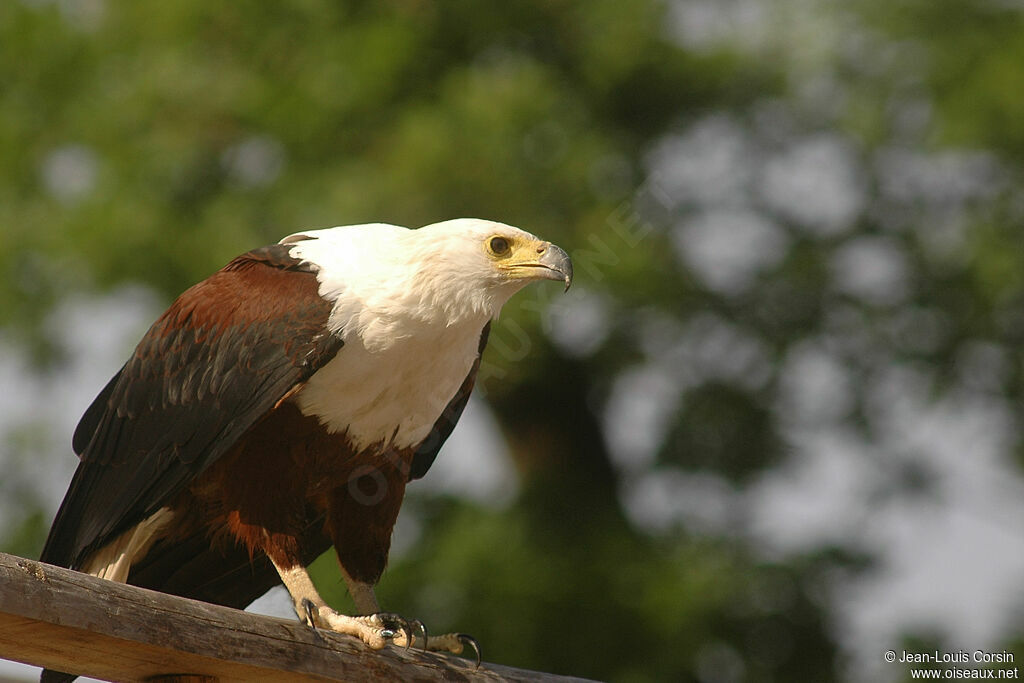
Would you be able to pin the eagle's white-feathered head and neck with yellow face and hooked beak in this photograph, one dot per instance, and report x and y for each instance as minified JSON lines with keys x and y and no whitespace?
{"x":460,"y":270}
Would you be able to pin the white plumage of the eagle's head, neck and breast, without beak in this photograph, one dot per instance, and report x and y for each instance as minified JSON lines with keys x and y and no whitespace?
{"x":410,"y":307}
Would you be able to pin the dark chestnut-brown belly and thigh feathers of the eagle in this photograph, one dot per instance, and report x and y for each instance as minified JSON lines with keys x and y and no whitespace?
{"x":288,"y":472}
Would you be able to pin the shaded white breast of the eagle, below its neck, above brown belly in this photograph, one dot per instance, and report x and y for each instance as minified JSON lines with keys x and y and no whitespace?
{"x":392,"y":397}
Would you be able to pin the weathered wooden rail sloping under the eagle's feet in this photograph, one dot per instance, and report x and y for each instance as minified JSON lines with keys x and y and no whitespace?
{"x":67,"y":621}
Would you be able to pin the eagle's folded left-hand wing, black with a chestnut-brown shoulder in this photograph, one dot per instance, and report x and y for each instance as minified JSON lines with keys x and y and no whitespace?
{"x":217,"y":362}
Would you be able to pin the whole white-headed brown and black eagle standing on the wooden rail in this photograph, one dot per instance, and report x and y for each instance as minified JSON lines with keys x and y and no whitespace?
{"x":281,"y":406}
